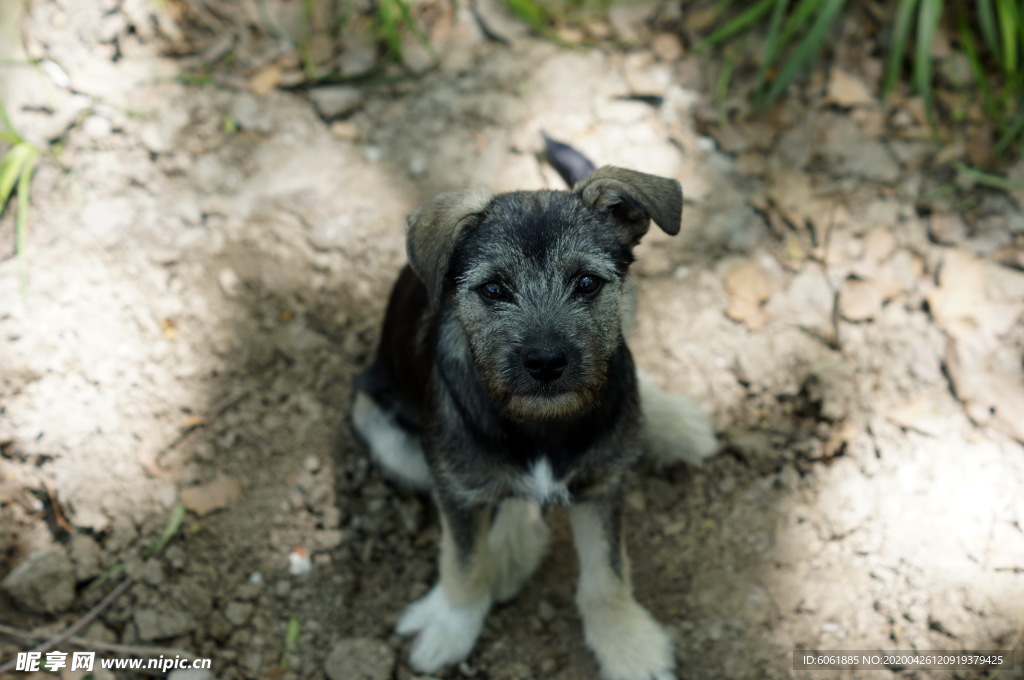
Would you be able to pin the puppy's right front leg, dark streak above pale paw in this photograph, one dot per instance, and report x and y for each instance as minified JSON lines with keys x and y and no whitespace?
{"x":627,"y":641}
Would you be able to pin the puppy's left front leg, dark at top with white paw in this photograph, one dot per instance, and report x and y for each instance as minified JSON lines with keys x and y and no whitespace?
{"x":450,"y":618}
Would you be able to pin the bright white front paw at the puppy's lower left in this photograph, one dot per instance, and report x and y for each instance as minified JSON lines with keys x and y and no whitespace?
{"x":447,"y":633}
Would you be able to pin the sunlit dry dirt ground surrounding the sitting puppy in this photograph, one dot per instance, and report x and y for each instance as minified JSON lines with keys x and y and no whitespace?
{"x":208,"y":268}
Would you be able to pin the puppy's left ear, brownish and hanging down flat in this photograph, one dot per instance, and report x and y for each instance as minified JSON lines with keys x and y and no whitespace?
{"x":433,"y":232}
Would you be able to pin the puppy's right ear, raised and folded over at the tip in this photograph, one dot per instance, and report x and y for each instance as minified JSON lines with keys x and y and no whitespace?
{"x":635,"y":199}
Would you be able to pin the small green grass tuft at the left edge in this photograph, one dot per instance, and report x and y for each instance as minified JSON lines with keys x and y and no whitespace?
{"x":18,"y":165}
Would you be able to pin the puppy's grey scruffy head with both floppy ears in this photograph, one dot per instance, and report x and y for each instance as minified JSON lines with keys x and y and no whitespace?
{"x":537,"y":281}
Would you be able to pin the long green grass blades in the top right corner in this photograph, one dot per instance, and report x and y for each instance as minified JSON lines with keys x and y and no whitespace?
{"x":989,"y":33}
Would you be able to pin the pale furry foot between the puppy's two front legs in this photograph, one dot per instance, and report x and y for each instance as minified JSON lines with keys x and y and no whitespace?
{"x":519,"y":541}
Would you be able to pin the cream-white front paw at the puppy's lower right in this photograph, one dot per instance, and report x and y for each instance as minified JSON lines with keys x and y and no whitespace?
{"x":628,"y":643}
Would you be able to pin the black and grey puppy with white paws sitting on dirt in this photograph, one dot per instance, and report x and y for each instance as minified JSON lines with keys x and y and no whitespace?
{"x":503,"y":385}
